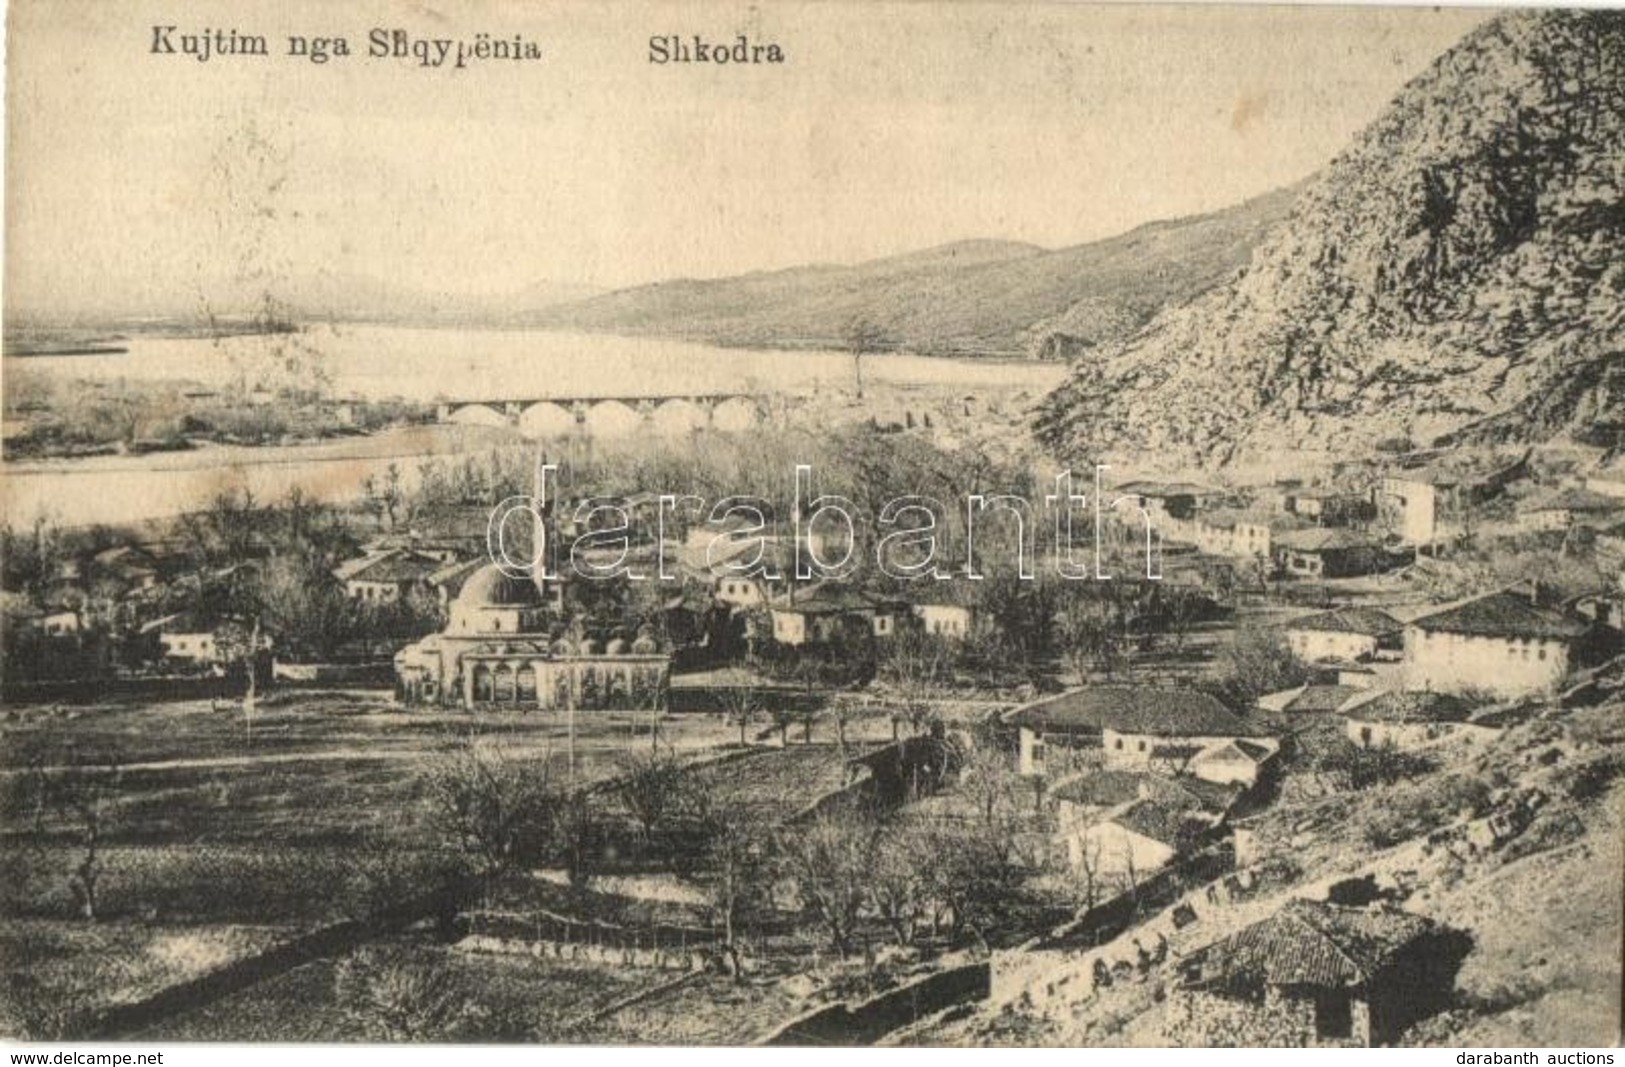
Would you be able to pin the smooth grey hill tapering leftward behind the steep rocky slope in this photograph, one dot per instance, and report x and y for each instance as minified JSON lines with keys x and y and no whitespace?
{"x":971,"y":298}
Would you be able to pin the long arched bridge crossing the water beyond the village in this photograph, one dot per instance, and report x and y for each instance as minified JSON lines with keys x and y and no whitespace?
{"x":612,"y":417}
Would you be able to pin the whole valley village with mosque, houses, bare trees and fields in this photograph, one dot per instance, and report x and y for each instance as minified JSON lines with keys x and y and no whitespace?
{"x":982,"y":775}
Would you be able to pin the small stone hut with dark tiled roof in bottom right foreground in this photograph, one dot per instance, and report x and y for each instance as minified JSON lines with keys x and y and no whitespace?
{"x":1315,"y":975}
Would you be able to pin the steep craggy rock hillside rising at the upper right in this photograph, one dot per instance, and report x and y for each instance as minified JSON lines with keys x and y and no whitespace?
{"x":1455,"y":275}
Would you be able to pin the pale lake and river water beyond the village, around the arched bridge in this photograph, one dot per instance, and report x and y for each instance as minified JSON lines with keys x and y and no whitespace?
{"x":379,"y":363}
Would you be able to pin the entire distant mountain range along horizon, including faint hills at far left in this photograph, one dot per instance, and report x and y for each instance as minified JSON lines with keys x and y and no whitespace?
{"x":971,"y":298}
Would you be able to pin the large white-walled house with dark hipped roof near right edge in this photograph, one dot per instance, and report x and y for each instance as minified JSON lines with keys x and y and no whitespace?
{"x":1504,"y":644}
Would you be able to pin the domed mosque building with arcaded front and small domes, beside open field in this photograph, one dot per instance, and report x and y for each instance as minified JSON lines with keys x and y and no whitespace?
{"x":505,"y":647}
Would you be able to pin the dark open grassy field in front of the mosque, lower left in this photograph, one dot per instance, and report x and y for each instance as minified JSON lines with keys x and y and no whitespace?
{"x":215,"y":844}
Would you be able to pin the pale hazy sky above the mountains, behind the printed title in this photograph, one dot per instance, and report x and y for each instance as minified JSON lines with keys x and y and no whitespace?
{"x":139,"y":181}
